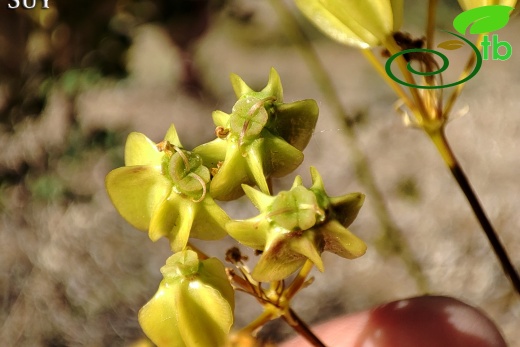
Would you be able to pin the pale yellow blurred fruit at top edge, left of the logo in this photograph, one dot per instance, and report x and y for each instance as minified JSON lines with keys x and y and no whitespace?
{"x":362,"y":24}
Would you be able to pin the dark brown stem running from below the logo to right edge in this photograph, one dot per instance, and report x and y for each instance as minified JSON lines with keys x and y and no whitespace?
{"x":442,"y":145}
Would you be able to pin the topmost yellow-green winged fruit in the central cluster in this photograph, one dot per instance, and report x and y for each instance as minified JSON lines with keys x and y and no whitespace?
{"x":261,"y":137}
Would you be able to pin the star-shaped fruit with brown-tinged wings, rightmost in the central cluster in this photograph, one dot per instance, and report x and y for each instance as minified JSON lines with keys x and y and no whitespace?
{"x":297,"y":225}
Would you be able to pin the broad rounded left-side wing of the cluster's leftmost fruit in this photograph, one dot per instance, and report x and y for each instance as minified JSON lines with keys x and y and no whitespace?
{"x":136,"y":191}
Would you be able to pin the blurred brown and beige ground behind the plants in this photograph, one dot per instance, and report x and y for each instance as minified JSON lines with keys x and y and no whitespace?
{"x":76,"y":78}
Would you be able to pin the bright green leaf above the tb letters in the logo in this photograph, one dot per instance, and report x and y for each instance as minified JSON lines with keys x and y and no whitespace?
{"x":485,"y":19}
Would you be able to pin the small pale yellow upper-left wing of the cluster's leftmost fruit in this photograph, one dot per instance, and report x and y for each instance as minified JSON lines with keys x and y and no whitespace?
{"x":140,"y":150}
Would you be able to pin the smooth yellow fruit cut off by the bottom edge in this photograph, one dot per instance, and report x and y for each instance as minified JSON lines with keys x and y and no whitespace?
{"x":193,"y":305}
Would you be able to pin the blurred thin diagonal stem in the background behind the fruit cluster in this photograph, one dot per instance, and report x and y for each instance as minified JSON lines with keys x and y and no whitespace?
{"x":391,"y":234}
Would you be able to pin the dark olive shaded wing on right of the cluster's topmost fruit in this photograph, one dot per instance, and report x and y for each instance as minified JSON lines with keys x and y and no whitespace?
{"x":295,"y":122}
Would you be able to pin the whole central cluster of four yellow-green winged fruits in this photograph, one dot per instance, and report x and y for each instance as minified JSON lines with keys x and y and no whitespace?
{"x":169,"y":191}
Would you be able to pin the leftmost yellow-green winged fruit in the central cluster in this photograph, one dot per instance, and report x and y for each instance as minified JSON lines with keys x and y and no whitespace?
{"x":163,"y":190}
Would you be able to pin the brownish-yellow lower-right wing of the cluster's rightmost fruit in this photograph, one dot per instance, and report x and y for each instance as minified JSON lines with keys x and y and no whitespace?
{"x":341,"y":241}
